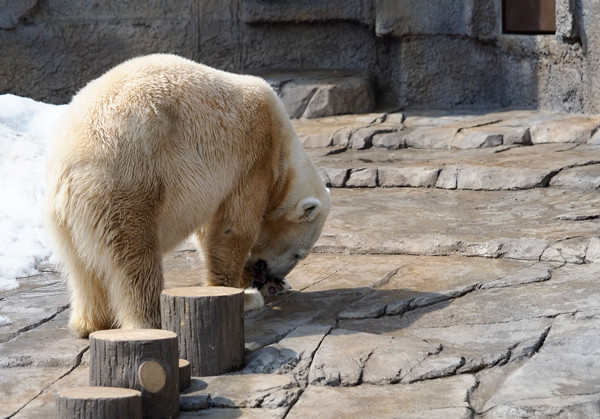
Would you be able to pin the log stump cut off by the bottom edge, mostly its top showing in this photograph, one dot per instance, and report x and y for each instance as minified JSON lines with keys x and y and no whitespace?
{"x":98,"y":403}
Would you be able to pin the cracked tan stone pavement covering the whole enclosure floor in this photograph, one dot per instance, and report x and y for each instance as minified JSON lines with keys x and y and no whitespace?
{"x":457,"y":277}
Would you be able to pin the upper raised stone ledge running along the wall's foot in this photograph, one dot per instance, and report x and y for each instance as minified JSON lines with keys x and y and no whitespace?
{"x":448,"y":130}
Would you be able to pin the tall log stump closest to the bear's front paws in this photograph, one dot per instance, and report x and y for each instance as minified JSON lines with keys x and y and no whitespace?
{"x":209,"y":323}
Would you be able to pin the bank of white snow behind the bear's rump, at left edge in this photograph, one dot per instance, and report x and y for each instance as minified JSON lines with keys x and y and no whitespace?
{"x":25,"y":129}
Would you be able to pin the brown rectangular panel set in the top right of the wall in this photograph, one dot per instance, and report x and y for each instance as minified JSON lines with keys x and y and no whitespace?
{"x":529,"y":16}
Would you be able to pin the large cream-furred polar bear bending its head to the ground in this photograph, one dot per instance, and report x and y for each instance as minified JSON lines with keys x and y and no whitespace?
{"x":157,"y":149}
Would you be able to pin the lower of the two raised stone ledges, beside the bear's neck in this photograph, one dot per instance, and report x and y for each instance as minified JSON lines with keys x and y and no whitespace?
{"x":555,"y":165}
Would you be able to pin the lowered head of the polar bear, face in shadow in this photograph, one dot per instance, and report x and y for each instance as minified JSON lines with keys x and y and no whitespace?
{"x":286,"y":239}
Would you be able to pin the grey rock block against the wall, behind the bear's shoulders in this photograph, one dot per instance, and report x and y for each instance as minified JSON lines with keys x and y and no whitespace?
{"x":322,"y":93}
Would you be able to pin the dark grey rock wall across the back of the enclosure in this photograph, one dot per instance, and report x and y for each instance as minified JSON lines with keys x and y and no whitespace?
{"x":426,"y":53}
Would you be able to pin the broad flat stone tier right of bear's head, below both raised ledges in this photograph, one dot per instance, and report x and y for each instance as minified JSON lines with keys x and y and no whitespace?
{"x":545,"y":224}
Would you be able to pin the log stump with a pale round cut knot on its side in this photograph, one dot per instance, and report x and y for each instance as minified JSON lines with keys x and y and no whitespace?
{"x":140,"y":359}
